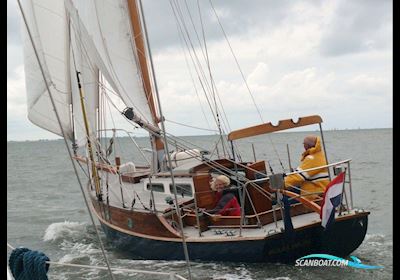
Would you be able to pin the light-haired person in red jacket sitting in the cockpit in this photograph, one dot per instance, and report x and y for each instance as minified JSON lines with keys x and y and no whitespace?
{"x":226,"y":203}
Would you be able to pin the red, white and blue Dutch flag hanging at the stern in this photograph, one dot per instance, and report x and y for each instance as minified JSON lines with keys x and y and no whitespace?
{"x":331,"y":200}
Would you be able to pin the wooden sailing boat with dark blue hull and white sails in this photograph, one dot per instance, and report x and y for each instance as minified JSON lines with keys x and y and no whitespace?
{"x":77,"y":55}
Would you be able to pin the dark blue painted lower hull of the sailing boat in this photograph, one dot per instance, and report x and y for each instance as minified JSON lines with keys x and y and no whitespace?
{"x":340,"y":240}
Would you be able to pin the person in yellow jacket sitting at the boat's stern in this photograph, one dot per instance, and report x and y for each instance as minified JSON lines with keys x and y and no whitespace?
{"x":314,"y":180}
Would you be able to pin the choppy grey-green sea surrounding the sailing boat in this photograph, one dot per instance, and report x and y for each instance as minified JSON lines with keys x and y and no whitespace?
{"x":46,"y":211}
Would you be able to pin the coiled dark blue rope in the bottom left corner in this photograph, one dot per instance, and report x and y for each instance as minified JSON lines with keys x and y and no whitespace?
{"x":26,"y":264}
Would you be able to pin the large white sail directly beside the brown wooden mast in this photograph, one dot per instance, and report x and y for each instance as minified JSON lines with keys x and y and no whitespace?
{"x":108,"y":23}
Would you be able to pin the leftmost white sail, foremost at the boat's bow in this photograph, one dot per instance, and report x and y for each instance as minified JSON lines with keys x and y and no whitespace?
{"x":51,"y":42}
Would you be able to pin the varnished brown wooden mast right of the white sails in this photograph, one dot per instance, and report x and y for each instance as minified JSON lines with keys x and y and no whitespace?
{"x":141,"y":55}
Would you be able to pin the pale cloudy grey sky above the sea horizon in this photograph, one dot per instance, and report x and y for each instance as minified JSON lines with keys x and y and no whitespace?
{"x":299,"y":58}
